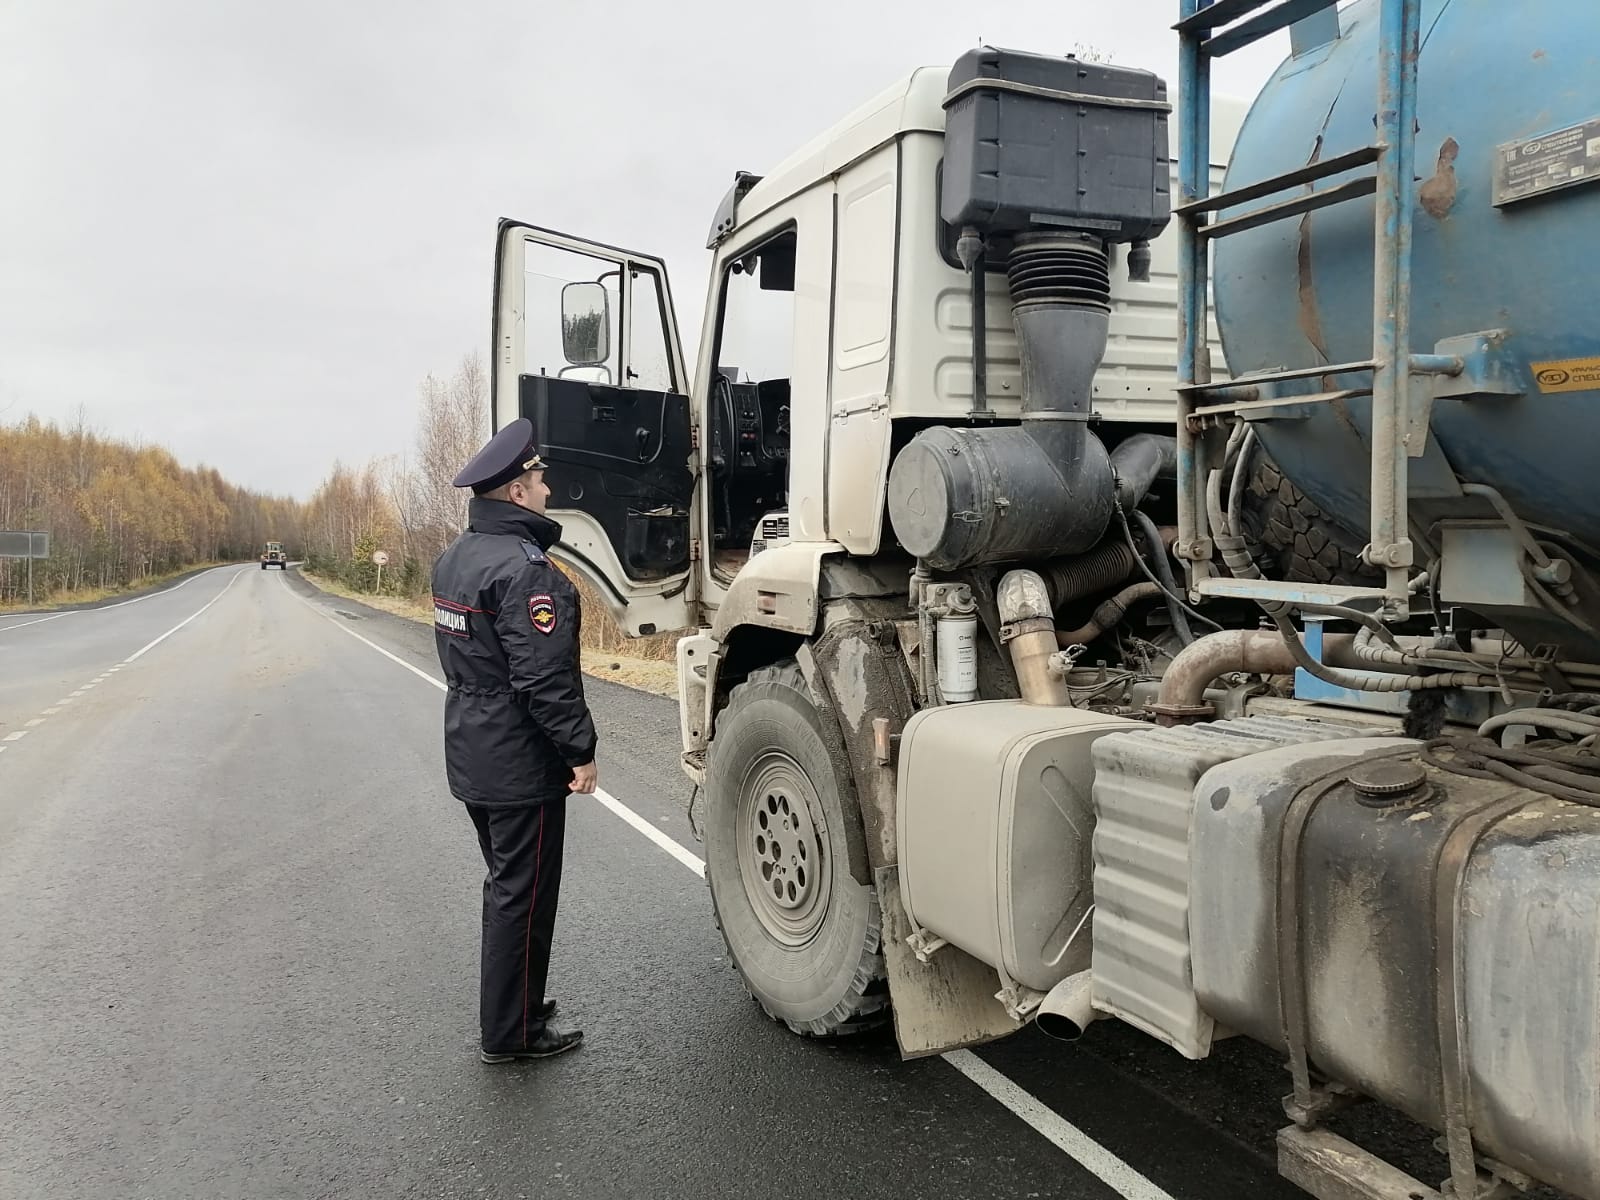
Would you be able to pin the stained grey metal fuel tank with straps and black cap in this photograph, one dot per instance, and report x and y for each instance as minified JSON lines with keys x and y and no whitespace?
{"x":1415,"y":919}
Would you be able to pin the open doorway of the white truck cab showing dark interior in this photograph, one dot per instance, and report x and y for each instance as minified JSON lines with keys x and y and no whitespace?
{"x":750,"y":398}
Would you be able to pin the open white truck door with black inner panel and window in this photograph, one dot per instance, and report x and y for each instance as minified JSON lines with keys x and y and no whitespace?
{"x":586,"y":346}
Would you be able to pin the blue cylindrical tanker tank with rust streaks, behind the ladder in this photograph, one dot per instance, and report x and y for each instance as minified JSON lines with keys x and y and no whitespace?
{"x":1506,"y":236}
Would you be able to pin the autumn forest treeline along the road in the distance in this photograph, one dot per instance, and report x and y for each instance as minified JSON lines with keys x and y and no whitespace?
{"x":122,"y":514}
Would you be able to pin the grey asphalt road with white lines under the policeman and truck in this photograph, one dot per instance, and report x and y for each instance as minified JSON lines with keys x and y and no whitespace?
{"x":239,"y":948}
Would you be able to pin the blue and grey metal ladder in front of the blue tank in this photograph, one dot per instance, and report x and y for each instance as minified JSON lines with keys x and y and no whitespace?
{"x":1391,"y":364}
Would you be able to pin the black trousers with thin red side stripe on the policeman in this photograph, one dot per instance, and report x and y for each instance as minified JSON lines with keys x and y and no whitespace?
{"x":522,"y":850}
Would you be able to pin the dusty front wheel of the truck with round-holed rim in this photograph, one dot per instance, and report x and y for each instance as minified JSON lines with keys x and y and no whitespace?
{"x":802,"y":932}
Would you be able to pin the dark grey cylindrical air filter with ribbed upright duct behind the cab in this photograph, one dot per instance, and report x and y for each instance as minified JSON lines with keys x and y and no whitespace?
{"x":1046,"y":487}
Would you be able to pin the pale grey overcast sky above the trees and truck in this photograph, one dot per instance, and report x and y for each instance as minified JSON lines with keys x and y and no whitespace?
{"x":247,"y":231}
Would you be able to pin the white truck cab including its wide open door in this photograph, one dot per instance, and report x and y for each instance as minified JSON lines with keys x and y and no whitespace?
{"x":838,"y":324}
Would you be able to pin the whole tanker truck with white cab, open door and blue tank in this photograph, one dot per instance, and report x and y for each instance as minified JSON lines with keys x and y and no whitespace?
{"x":1055,"y":666}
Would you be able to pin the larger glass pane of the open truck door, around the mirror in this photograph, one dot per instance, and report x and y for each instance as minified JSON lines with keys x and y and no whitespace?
{"x":548,"y":273}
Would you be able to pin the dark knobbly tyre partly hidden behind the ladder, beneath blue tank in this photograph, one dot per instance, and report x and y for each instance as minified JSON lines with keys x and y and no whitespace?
{"x":1292,"y":538}
